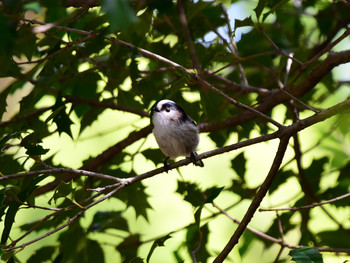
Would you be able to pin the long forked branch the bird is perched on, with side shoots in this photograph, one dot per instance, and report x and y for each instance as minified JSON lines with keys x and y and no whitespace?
{"x":123,"y":182}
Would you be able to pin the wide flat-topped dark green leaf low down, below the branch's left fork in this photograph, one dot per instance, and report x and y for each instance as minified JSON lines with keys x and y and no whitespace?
{"x":108,"y":219}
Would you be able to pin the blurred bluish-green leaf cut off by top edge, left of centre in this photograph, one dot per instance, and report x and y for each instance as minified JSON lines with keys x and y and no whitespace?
{"x":119,"y":13}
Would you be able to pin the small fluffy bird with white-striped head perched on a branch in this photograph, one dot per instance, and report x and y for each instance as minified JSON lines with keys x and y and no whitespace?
{"x":175,"y":132}
